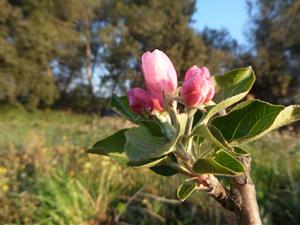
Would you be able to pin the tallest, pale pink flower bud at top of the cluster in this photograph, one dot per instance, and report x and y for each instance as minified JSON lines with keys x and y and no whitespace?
{"x":159,"y":73}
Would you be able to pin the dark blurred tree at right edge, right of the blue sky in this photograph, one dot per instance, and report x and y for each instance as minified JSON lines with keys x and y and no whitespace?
{"x":276,"y":49}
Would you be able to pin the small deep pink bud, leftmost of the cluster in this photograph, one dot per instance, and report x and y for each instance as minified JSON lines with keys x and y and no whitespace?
{"x":139,"y":100}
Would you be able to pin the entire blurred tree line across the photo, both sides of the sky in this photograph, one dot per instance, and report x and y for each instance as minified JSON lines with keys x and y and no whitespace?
{"x":75,"y":52}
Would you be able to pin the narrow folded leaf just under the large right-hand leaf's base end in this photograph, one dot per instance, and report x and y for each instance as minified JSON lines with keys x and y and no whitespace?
{"x":212,"y":134}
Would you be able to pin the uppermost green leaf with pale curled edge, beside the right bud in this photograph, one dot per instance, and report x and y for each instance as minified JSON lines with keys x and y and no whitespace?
{"x":230,"y":88}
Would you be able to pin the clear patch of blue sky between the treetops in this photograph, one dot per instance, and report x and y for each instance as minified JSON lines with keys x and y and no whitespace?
{"x":229,"y":14}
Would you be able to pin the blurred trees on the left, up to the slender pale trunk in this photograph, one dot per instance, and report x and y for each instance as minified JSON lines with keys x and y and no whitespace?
{"x":44,"y":47}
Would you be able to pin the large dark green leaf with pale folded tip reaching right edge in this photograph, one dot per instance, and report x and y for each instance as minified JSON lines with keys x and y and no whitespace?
{"x":251,"y":120}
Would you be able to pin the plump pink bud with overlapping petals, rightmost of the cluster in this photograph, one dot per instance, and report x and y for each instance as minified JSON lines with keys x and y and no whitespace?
{"x":197,"y":88}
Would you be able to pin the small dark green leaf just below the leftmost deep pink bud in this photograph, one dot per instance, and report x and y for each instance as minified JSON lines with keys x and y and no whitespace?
{"x":121,"y":106}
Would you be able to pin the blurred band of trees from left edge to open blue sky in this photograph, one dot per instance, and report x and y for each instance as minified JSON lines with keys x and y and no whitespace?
{"x":58,"y":50}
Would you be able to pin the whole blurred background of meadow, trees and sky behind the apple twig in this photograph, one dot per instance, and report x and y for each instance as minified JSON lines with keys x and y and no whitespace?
{"x":60,"y":61}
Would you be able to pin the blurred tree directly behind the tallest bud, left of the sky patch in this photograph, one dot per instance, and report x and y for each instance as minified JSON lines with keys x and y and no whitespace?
{"x":139,"y":26}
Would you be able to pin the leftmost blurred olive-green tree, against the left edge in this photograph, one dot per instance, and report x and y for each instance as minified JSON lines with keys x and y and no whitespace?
{"x":30,"y":36}
